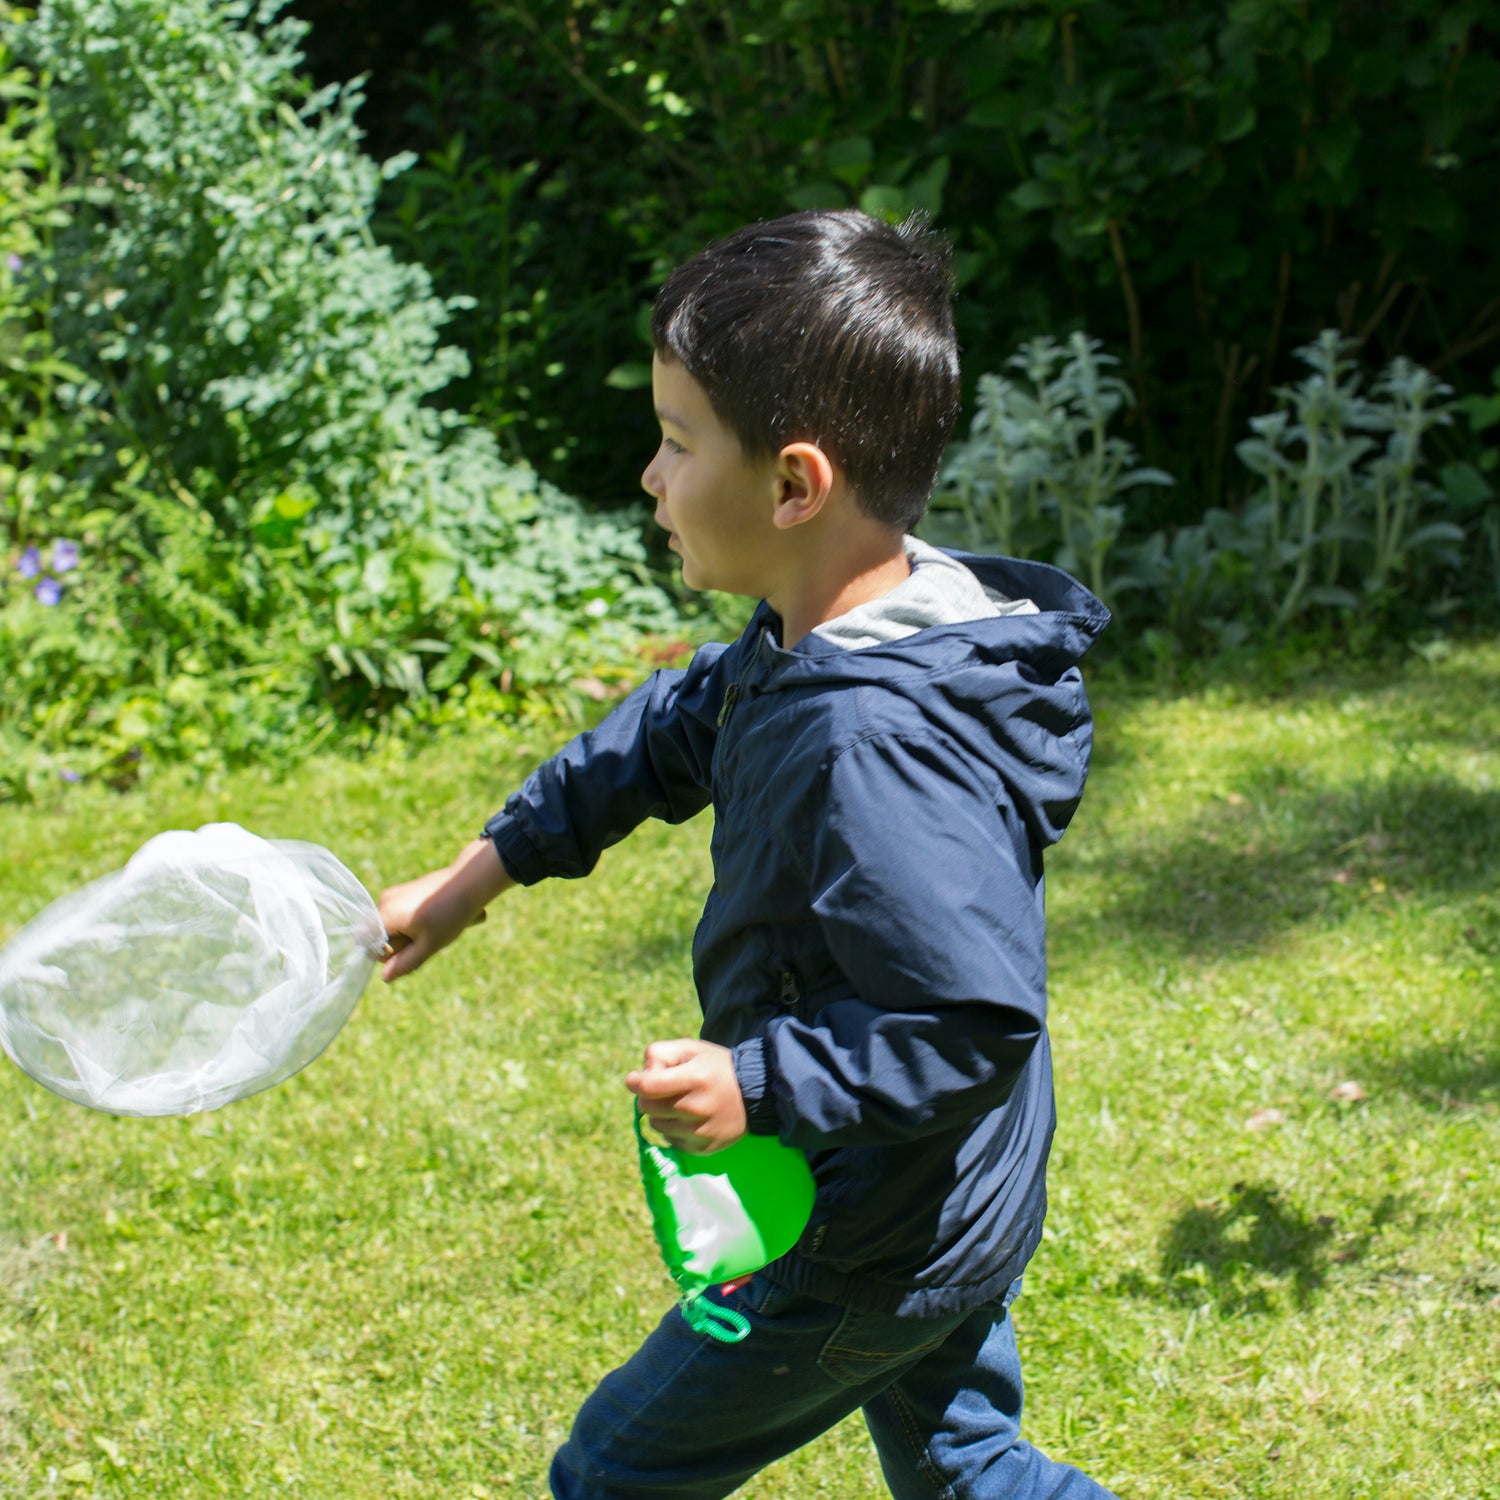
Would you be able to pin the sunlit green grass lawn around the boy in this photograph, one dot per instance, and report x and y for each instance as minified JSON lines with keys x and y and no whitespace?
{"x":1273,"y":1264}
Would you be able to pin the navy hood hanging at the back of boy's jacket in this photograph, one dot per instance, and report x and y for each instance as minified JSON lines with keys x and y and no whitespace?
{"x":1007,"y":688}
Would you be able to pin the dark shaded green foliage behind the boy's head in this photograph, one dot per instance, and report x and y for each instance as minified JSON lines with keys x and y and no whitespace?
{"x":1205,"y":188}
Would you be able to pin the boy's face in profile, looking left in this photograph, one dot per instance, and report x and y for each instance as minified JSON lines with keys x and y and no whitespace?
{"x":715,"y":502}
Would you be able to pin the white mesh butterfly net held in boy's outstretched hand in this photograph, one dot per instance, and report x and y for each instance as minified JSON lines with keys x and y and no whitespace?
{"x":212,"y":967}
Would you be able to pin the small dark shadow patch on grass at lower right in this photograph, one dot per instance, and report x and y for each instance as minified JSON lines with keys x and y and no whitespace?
{"x":1250,"y":1250}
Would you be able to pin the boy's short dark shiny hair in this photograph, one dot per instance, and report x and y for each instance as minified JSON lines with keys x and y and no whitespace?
{"x":830,"y":328}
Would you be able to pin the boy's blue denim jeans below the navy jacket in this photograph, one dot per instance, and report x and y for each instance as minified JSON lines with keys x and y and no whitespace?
{"x":692,"y":1420}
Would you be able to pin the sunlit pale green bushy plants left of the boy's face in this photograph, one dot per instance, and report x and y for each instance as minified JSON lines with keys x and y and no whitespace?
{"x":280,"y":535}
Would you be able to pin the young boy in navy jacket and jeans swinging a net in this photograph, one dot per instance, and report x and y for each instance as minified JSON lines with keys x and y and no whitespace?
{"x":889,"y":748}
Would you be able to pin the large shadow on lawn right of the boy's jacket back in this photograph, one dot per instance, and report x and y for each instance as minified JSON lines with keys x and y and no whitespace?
{"x":1274,"y":857}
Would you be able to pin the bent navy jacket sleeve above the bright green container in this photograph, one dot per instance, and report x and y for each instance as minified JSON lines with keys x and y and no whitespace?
{"x":929,"y":896}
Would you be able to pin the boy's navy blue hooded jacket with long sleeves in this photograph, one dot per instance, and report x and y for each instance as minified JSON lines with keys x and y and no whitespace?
{"x":874,"y":943}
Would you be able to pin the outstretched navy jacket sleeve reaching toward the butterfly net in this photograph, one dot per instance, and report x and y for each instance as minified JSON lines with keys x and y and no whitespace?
{"x":650,"y":758}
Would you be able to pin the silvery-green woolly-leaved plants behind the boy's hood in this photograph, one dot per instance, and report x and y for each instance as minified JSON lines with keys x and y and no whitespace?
{"x":1348,"y":524}
